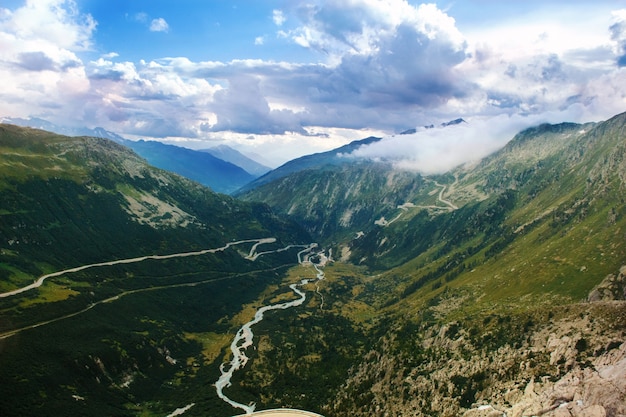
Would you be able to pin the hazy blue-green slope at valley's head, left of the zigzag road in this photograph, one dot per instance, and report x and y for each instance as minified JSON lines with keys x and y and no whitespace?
{"x":335,"y":201}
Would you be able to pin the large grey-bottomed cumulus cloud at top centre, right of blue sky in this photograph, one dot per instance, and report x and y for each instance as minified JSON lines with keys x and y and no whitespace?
{"x":384,"y":64}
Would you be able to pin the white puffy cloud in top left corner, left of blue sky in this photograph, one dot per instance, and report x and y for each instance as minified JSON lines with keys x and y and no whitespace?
{"x":39,"y":65}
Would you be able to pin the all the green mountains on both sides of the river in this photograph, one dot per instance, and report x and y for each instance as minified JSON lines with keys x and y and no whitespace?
{"x":496,"y":288}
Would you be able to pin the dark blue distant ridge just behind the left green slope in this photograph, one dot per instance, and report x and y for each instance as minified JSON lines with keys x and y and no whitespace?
{"x":219,"y":175}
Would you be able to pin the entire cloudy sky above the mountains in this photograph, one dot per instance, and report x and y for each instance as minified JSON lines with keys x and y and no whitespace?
{"x":283,"y":78}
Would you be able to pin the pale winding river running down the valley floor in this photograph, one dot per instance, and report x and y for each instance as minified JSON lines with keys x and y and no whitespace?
{"x":243,"y":338}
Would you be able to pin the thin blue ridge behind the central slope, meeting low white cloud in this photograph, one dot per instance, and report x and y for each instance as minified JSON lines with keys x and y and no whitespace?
{"x":308,"y":162}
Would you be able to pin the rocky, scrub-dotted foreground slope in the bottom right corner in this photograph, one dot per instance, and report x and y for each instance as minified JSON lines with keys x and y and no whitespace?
{"x":569,"y":365}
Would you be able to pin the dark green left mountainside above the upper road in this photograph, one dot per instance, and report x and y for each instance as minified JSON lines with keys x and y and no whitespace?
{"x":109,"y":201}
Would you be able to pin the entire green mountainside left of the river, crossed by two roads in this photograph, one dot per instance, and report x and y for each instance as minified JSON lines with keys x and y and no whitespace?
{"x":126,"y":338}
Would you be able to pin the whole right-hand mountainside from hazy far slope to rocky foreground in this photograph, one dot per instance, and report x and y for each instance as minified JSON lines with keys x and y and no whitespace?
{"x":478,"y":280}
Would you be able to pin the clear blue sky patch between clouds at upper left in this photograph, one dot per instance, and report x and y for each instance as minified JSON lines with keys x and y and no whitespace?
{"x":215,"y":30}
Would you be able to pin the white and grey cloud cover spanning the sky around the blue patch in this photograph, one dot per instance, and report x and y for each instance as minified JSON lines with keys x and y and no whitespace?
{"x":382,"y":66}
